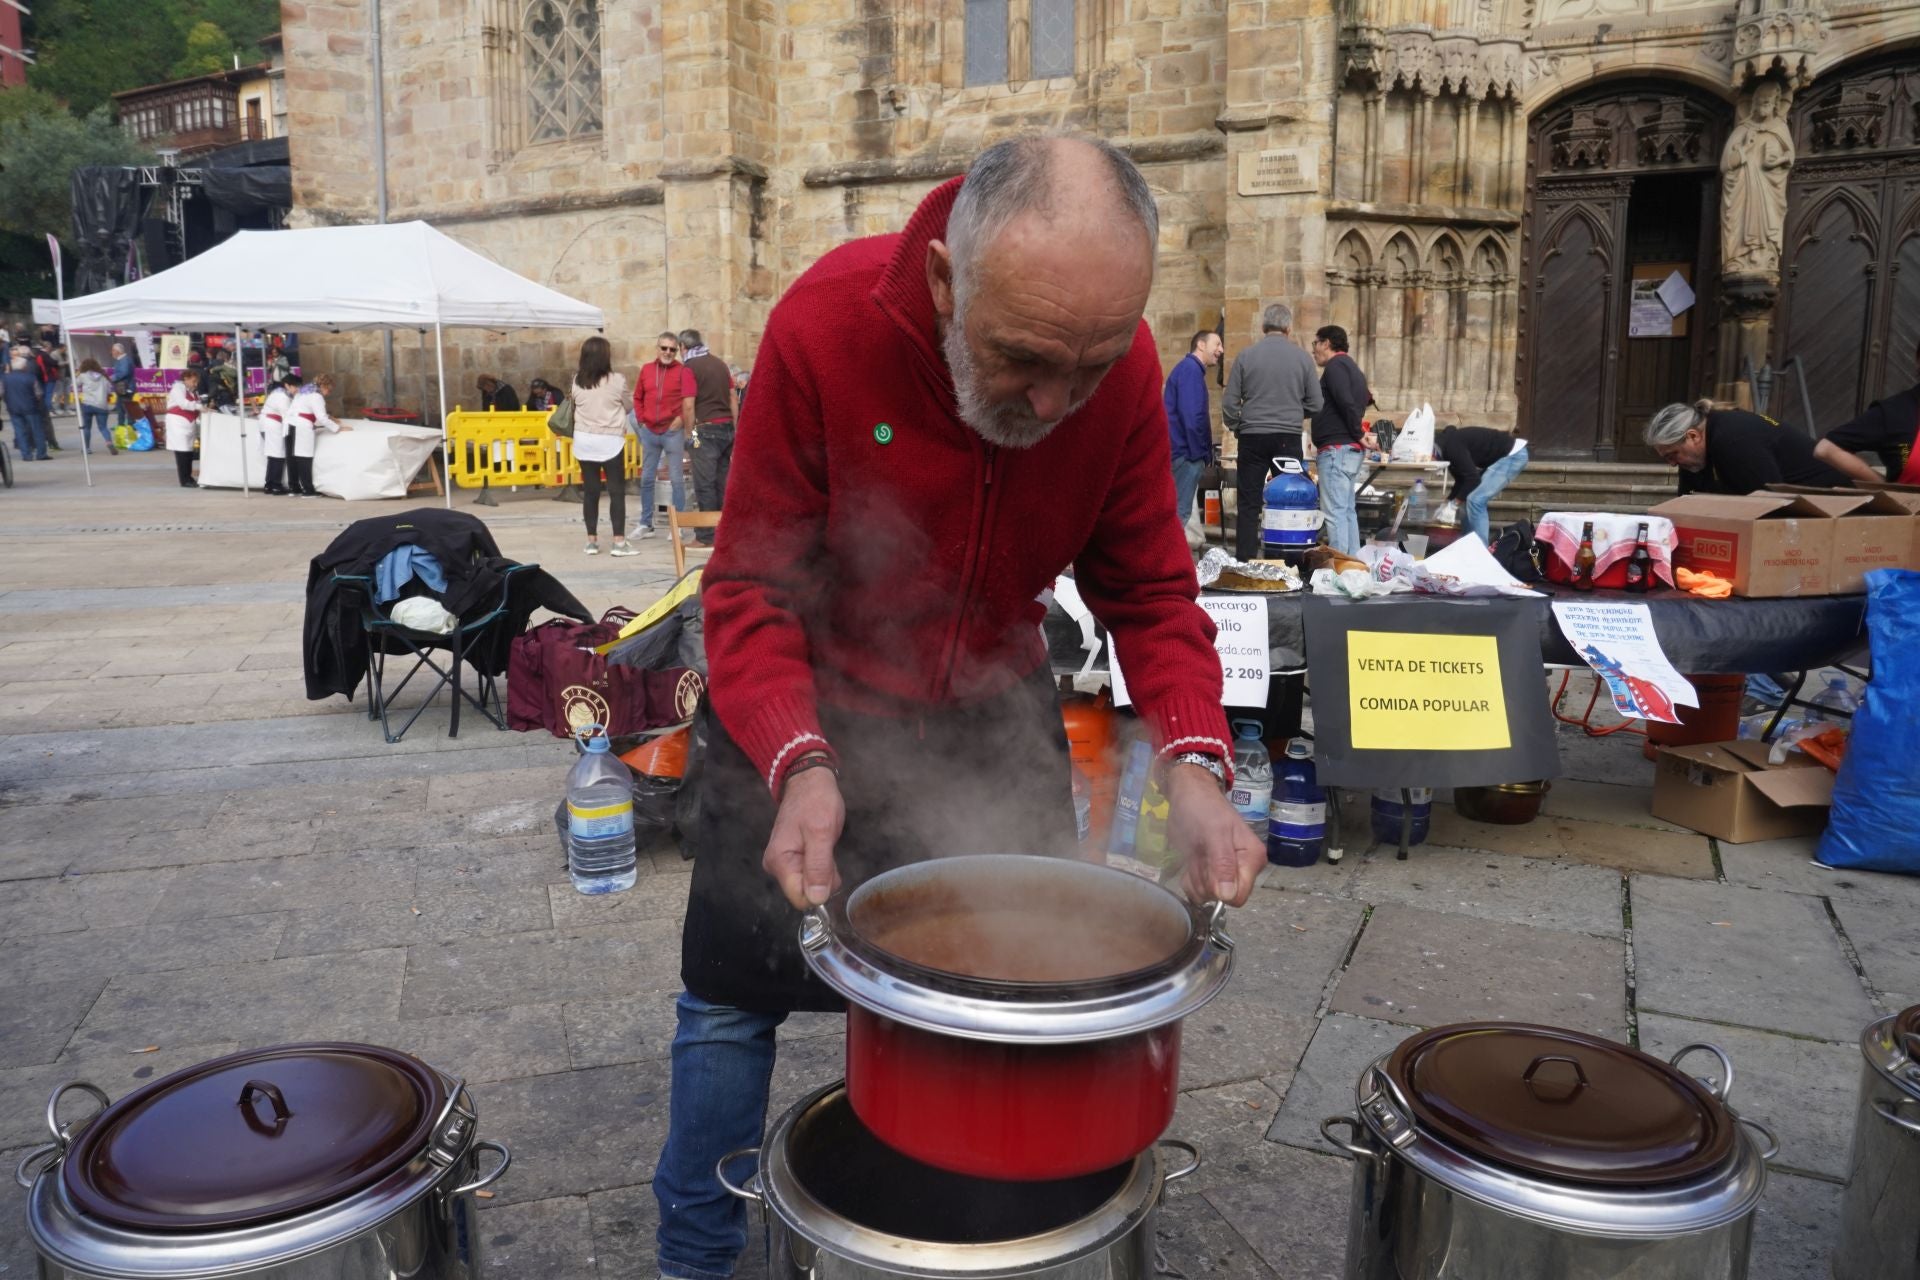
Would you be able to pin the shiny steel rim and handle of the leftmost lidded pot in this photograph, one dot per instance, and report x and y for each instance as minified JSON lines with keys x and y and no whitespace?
{"x":64,"y":1235}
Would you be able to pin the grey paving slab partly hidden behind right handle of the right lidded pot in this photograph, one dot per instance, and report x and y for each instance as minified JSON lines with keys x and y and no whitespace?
{"x":1800,"y":1089}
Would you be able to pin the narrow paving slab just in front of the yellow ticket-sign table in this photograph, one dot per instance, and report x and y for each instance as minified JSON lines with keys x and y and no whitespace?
{"x":1522,"y":891}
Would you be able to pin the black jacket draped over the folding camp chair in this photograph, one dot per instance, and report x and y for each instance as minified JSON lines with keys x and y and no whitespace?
{"x":335,"y":644}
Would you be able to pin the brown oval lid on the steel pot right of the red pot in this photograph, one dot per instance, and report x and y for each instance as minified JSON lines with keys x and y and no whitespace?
{"x":1562,"y":1104}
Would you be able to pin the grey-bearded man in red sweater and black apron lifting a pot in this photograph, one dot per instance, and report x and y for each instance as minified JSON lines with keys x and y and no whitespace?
{"x":880,"y":690}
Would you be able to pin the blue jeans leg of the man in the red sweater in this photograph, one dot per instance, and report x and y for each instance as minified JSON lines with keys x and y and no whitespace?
{"x":723,"y":1068}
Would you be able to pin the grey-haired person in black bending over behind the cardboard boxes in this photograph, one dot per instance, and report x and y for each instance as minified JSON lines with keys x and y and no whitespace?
{"x":1735,"y":452}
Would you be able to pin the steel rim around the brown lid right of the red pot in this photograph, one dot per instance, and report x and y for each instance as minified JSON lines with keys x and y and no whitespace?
{"x":1618,"y":1214}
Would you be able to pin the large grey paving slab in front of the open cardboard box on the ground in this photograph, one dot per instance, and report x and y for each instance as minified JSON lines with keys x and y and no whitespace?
{"x":1733,"y":955}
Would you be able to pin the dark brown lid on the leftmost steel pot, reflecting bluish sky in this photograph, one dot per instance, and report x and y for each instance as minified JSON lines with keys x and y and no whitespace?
{"x":254,"y":1137}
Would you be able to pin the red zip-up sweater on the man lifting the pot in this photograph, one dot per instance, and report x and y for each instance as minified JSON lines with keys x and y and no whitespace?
{"x":880,"y":557}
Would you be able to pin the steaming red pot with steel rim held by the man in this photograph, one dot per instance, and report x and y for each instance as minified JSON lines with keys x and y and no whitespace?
{"x":1017,"y":1018}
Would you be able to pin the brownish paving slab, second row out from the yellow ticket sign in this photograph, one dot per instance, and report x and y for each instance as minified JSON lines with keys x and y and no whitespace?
{"x":1431,"y":968}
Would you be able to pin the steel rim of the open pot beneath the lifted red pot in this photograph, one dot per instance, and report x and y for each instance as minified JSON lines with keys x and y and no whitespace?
{"x":825,"y":1229}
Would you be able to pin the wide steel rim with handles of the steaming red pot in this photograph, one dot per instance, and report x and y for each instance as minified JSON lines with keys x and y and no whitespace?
{"x":1020,"y":1012}
